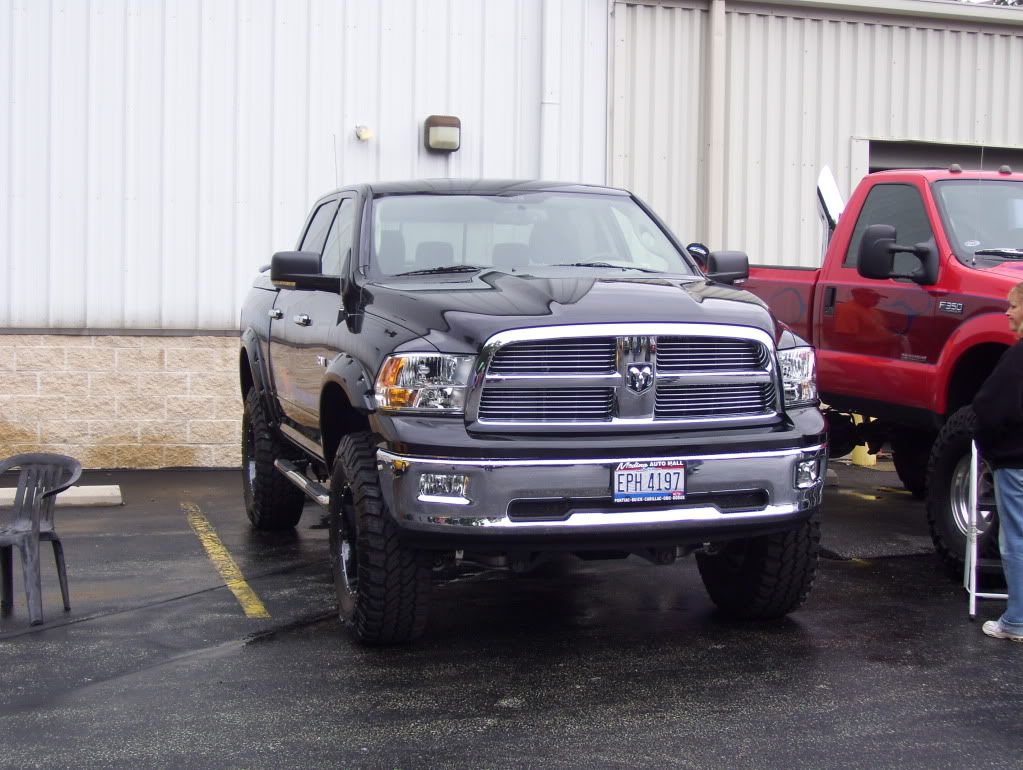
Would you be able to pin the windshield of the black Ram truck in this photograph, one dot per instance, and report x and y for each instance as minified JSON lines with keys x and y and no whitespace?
{"x":537,"y":234}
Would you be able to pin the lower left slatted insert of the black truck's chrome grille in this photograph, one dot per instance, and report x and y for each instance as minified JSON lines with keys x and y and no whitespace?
{"x":536,"y":405}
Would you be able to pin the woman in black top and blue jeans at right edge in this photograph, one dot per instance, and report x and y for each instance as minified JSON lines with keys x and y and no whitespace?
{"x":999,"y":406}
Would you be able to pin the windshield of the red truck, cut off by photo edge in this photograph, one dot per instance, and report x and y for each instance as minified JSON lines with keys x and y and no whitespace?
{"x":984,"y":217}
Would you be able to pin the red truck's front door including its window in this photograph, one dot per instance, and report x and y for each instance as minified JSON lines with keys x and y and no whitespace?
{"x":876,"y":340}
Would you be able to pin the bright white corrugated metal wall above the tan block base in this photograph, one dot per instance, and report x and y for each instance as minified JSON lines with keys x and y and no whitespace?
{"x":155,"y":153}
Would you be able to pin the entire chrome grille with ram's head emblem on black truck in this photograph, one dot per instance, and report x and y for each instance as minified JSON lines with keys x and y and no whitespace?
{"x":594,"y":380}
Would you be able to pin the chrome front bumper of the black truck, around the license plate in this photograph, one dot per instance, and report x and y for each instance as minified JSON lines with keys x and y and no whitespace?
{"x":497,"y":489}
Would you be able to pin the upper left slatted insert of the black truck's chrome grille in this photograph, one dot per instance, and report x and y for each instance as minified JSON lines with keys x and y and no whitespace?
{"x":557,"y":356}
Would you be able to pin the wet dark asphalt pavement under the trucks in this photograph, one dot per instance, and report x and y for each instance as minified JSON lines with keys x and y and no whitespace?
{"x":617,"y":664}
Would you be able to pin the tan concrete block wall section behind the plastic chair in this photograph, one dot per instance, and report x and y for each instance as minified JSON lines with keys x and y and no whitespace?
{"x":122,"y":402}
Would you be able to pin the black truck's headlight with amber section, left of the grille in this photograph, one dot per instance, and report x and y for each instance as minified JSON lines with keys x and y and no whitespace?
{"x":424,"y":383}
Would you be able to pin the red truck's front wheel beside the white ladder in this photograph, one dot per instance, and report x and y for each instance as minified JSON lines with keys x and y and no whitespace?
{"x":949,"y":493}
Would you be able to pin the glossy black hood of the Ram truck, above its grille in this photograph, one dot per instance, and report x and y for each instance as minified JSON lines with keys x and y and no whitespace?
{"x":459,"y":315}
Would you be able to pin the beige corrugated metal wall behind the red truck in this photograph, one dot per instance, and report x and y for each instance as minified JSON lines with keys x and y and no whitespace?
{"x":804,"y":84}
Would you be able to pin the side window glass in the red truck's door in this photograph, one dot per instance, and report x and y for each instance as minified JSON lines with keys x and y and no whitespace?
{"x":900,"y":206}
